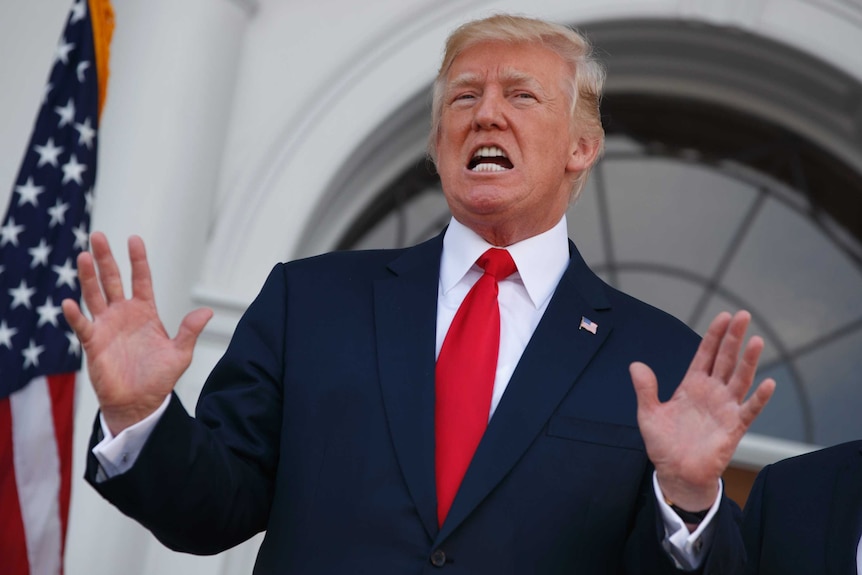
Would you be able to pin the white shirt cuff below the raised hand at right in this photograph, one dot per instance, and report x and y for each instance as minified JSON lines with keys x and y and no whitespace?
{"x":687,"y":549}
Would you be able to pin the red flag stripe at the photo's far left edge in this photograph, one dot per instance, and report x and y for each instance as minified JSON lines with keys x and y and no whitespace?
{"x":13,"y":547}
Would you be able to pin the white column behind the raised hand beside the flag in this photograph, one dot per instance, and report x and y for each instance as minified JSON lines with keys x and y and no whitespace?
{"x":173,"y":67}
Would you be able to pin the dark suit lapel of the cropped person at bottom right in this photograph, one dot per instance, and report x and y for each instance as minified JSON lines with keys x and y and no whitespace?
{"x":845,"y":516}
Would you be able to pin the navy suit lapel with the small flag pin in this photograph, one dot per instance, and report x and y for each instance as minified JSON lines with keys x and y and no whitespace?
{"x":551,"y":363}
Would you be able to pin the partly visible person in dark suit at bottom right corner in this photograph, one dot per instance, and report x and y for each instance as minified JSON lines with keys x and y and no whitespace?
{"x":804,"y":514}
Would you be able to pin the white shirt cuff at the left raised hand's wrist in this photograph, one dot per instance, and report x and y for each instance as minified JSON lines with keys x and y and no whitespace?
{"x":116,"y":455}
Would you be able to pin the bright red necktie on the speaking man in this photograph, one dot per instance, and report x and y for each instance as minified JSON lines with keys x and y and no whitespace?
{"x":465,"y":377}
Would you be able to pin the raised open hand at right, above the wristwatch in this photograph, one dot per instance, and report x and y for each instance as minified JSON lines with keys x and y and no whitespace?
{"x":691,"y":437}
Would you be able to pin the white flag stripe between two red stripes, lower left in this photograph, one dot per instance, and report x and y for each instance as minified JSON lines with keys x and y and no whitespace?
{"x":37,"y":473}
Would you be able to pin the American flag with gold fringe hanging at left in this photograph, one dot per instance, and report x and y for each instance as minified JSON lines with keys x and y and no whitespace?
{"x":46,"y":225}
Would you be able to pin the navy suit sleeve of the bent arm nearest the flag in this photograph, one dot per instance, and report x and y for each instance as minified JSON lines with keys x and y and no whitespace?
{"x":205,"y":484}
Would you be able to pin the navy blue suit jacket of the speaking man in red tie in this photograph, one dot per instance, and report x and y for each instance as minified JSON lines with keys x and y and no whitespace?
{"x":317,"y":426}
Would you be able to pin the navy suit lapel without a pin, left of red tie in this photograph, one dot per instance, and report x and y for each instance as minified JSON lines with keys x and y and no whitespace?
{"x":405,"y":309}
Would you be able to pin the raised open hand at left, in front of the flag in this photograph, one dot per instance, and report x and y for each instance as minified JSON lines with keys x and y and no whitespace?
{"x":132,"y":361}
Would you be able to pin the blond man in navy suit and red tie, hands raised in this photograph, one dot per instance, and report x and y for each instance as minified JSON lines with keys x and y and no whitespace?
{"x":358,"y":416}
